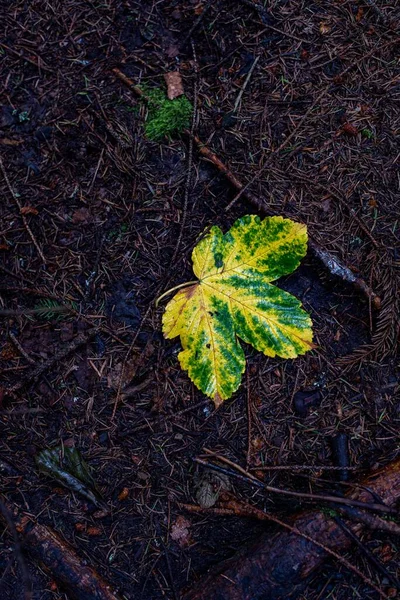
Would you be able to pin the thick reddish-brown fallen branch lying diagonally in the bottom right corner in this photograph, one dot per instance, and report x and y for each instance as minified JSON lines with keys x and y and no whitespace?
{"x":279,"y":565}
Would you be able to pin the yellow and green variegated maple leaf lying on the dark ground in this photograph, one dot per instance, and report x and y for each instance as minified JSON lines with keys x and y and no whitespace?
{"x":233,"y":298}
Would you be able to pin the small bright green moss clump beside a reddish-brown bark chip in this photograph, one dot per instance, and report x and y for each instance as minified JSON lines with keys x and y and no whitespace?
{"x":165,"y":117}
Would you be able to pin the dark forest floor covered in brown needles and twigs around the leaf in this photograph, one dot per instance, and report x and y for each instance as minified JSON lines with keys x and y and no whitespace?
{"x":96,"y":216}
